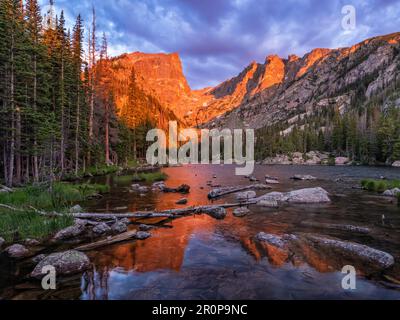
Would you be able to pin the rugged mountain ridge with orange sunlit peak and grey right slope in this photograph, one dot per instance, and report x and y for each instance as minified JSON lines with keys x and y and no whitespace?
{"x":154,"y":86}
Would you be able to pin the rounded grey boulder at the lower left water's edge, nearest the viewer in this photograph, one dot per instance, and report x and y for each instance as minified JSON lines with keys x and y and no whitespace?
{"x":65,"y":263}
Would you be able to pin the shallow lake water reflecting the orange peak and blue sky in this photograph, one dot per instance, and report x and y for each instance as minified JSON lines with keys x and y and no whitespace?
{"x":198,"y":257}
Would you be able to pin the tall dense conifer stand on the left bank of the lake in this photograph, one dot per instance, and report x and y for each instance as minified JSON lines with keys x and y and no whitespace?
{"x":57,"y":114}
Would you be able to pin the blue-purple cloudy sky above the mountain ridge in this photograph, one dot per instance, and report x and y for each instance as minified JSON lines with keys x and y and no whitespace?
{"x":216,"y":39}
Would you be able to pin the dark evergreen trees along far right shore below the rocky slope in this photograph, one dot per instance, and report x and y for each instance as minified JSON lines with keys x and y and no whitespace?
{"x":368,"y":132}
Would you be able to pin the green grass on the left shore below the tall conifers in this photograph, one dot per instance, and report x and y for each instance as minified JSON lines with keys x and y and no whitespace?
{"x":24,"y":222}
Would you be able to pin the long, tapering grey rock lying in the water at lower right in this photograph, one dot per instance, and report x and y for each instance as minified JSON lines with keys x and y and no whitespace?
{"x":350,"y":250}
